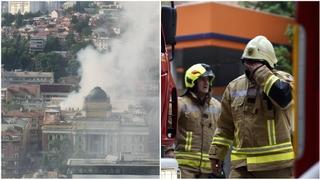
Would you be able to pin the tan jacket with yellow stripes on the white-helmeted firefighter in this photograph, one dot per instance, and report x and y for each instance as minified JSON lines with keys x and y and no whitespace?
{"x":256,"y":118}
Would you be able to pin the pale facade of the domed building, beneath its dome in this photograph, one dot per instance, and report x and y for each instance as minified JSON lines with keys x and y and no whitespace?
{"x":99,"y":144}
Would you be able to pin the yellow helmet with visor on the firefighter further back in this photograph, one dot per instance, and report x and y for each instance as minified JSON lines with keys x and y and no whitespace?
{"x":195,"y":72}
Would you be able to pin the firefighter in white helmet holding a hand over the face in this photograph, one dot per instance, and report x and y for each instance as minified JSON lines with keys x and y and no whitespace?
{"x":256,"y":115}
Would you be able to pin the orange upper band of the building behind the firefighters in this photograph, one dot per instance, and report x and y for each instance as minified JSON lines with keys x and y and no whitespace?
{"x":221,"y":19}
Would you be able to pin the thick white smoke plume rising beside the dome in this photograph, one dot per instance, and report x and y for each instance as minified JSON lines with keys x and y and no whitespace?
{"x":132,"y":58}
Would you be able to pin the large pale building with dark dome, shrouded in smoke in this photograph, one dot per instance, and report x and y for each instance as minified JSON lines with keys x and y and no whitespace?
{"x":97,"y":132}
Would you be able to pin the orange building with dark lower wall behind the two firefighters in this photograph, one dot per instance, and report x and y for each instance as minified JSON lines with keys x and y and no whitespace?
{"x":216,"y":34}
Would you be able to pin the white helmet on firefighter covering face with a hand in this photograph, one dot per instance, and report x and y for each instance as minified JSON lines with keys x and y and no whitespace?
{"x":260,"y":48}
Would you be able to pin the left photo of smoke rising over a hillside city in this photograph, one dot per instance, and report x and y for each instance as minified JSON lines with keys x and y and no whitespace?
{"x":80,"y":89}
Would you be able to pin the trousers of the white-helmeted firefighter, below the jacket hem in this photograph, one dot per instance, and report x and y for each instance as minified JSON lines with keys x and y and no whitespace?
{"x":242,"y":172}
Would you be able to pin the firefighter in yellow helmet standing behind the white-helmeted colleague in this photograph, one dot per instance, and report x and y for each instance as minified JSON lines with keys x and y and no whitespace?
{"x":197,"y":116}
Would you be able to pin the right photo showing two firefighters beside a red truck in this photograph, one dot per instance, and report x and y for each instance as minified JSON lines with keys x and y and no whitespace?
{"x":239,"y":90}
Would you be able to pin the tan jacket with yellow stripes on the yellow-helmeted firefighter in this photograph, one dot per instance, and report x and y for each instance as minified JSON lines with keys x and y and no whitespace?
{"x":196,"y":125}
